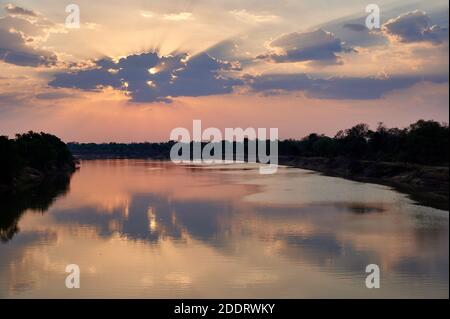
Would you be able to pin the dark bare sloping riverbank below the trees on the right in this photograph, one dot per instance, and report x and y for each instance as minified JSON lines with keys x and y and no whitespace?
{"x":427,"y":185}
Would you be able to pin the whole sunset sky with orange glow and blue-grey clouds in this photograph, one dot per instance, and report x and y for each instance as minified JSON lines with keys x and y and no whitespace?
{"x":134,"y":70}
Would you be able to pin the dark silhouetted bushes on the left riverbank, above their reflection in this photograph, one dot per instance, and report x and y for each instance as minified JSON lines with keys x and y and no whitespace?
{"x":30,"y":158}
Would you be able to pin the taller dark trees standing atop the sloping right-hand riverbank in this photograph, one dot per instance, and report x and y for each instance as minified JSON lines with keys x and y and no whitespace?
{"x":423,"y":142}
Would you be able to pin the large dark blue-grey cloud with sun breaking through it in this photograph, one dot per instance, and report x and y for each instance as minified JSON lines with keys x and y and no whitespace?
{"x":149,"y":77}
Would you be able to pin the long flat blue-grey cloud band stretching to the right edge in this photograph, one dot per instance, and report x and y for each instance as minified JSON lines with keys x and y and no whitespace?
{"x":352,"y":88}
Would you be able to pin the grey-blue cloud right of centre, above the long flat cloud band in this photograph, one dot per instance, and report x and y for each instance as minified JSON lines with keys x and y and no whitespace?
{"x":317,"y":45}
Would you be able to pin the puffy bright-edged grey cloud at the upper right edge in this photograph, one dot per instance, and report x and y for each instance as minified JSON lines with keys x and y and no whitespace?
{"x":415,"y":26}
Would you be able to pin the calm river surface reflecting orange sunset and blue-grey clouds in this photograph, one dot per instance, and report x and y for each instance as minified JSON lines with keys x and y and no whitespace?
{"x":154,"y":229}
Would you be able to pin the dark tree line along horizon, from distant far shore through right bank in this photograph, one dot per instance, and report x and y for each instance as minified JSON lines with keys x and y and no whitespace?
{"x":423,"y":142}
